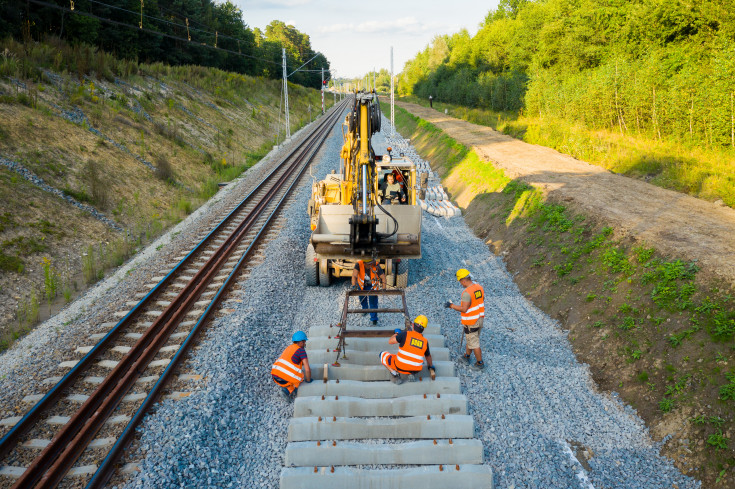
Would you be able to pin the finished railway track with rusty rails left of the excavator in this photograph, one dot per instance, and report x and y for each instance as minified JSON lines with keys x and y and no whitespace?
{"x":76,"y":431}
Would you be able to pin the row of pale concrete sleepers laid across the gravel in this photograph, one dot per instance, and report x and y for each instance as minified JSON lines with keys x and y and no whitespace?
{"x":360,"y":430}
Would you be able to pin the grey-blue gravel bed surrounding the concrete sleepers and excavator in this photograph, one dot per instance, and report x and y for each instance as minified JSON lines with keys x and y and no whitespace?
{"x":531,"y":404}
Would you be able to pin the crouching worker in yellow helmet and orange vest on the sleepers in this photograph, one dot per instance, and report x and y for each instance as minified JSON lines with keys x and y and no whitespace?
{"x":412,"y":348}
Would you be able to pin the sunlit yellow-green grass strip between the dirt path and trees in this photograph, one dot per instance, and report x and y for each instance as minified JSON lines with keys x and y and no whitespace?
{"x":705,"y":173}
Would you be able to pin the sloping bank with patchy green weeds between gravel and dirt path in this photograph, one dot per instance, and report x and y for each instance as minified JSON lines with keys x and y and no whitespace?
{"x":654,"y":328}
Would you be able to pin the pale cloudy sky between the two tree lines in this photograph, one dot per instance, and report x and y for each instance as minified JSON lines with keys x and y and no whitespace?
{"x":356,"y":37}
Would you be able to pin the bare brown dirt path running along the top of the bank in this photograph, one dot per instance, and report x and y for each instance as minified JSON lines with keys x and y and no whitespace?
{"x":675,"y":223}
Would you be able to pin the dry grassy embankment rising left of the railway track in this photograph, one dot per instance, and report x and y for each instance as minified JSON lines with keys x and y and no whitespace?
{"x":194,"y":126}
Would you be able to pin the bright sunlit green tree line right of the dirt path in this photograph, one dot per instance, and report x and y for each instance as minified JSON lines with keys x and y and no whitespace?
{"x":665,"y":68}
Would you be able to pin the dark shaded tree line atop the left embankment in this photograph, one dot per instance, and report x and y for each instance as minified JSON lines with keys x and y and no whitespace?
{"x":175,"y":32}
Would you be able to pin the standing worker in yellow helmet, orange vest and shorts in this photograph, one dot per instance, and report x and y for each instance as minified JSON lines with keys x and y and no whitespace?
{"x":472,"y":312}
